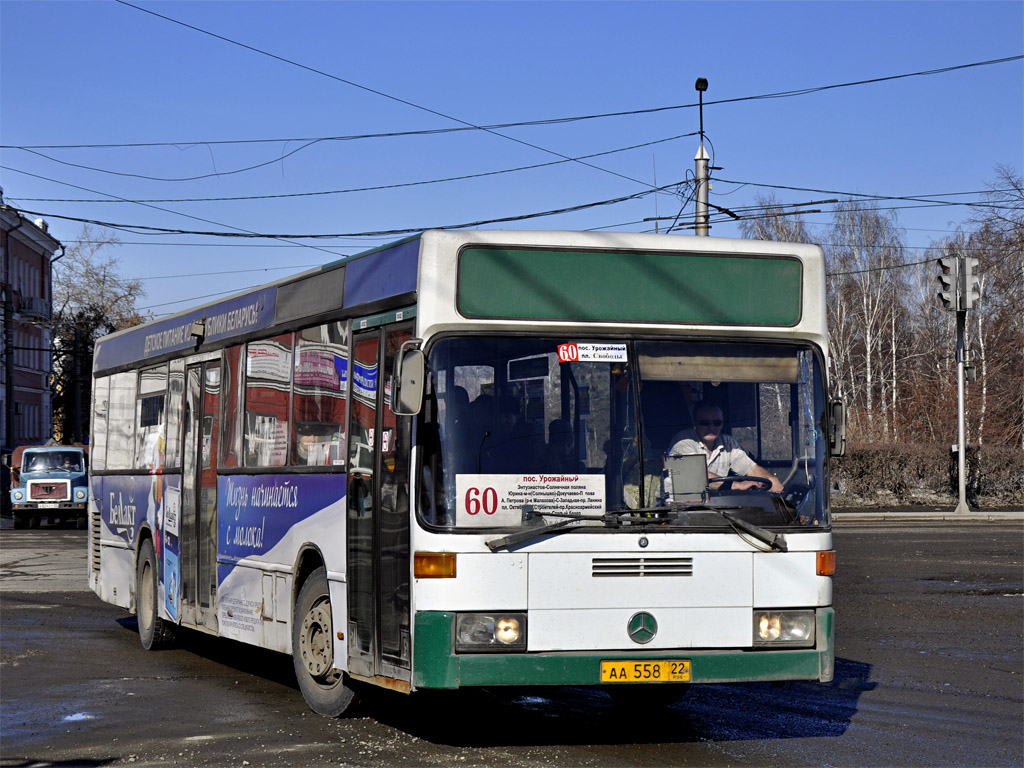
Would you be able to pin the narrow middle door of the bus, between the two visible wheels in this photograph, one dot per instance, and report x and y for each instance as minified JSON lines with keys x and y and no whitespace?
{"x":199,"y":495}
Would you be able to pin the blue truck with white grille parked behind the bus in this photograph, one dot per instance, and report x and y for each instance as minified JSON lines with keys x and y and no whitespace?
{"x":51,"y":482}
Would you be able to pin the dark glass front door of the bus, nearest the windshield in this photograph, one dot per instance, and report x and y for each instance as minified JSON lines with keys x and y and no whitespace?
{"x":378,"y":569}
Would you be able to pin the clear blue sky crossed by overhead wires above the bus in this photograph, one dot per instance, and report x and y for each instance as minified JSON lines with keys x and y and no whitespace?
{"x":105,"y":73}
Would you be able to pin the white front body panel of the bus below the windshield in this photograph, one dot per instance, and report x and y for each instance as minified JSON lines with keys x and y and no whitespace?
{"x":571,"y":609}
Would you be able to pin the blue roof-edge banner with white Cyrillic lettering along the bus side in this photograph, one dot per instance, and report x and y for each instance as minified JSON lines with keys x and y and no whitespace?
{"x":231,"y":318}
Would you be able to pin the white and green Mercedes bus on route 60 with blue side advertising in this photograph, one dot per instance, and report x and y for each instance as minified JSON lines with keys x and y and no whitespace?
{"x":461,"y":460}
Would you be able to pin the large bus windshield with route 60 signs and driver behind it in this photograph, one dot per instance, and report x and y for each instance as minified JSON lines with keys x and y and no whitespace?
{"x":523,"y":432}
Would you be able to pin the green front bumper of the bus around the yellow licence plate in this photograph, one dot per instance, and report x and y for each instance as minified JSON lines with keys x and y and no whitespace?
{"x":436,"y":666}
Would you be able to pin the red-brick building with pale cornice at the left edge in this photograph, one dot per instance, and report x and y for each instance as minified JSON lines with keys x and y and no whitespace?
{"x":26,"y":338}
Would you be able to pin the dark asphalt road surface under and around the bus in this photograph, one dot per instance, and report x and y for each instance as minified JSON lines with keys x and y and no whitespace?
{"x":930,"y":672}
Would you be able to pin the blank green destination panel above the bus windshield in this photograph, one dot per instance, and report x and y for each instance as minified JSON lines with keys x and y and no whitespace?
{"x":684,"y":288}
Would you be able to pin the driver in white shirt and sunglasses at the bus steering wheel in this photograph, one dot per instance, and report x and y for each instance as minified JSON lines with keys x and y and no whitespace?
{"x":723,"y":453}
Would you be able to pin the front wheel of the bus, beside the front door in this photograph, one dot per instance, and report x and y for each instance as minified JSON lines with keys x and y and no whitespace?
{"x":325,"y":689}
